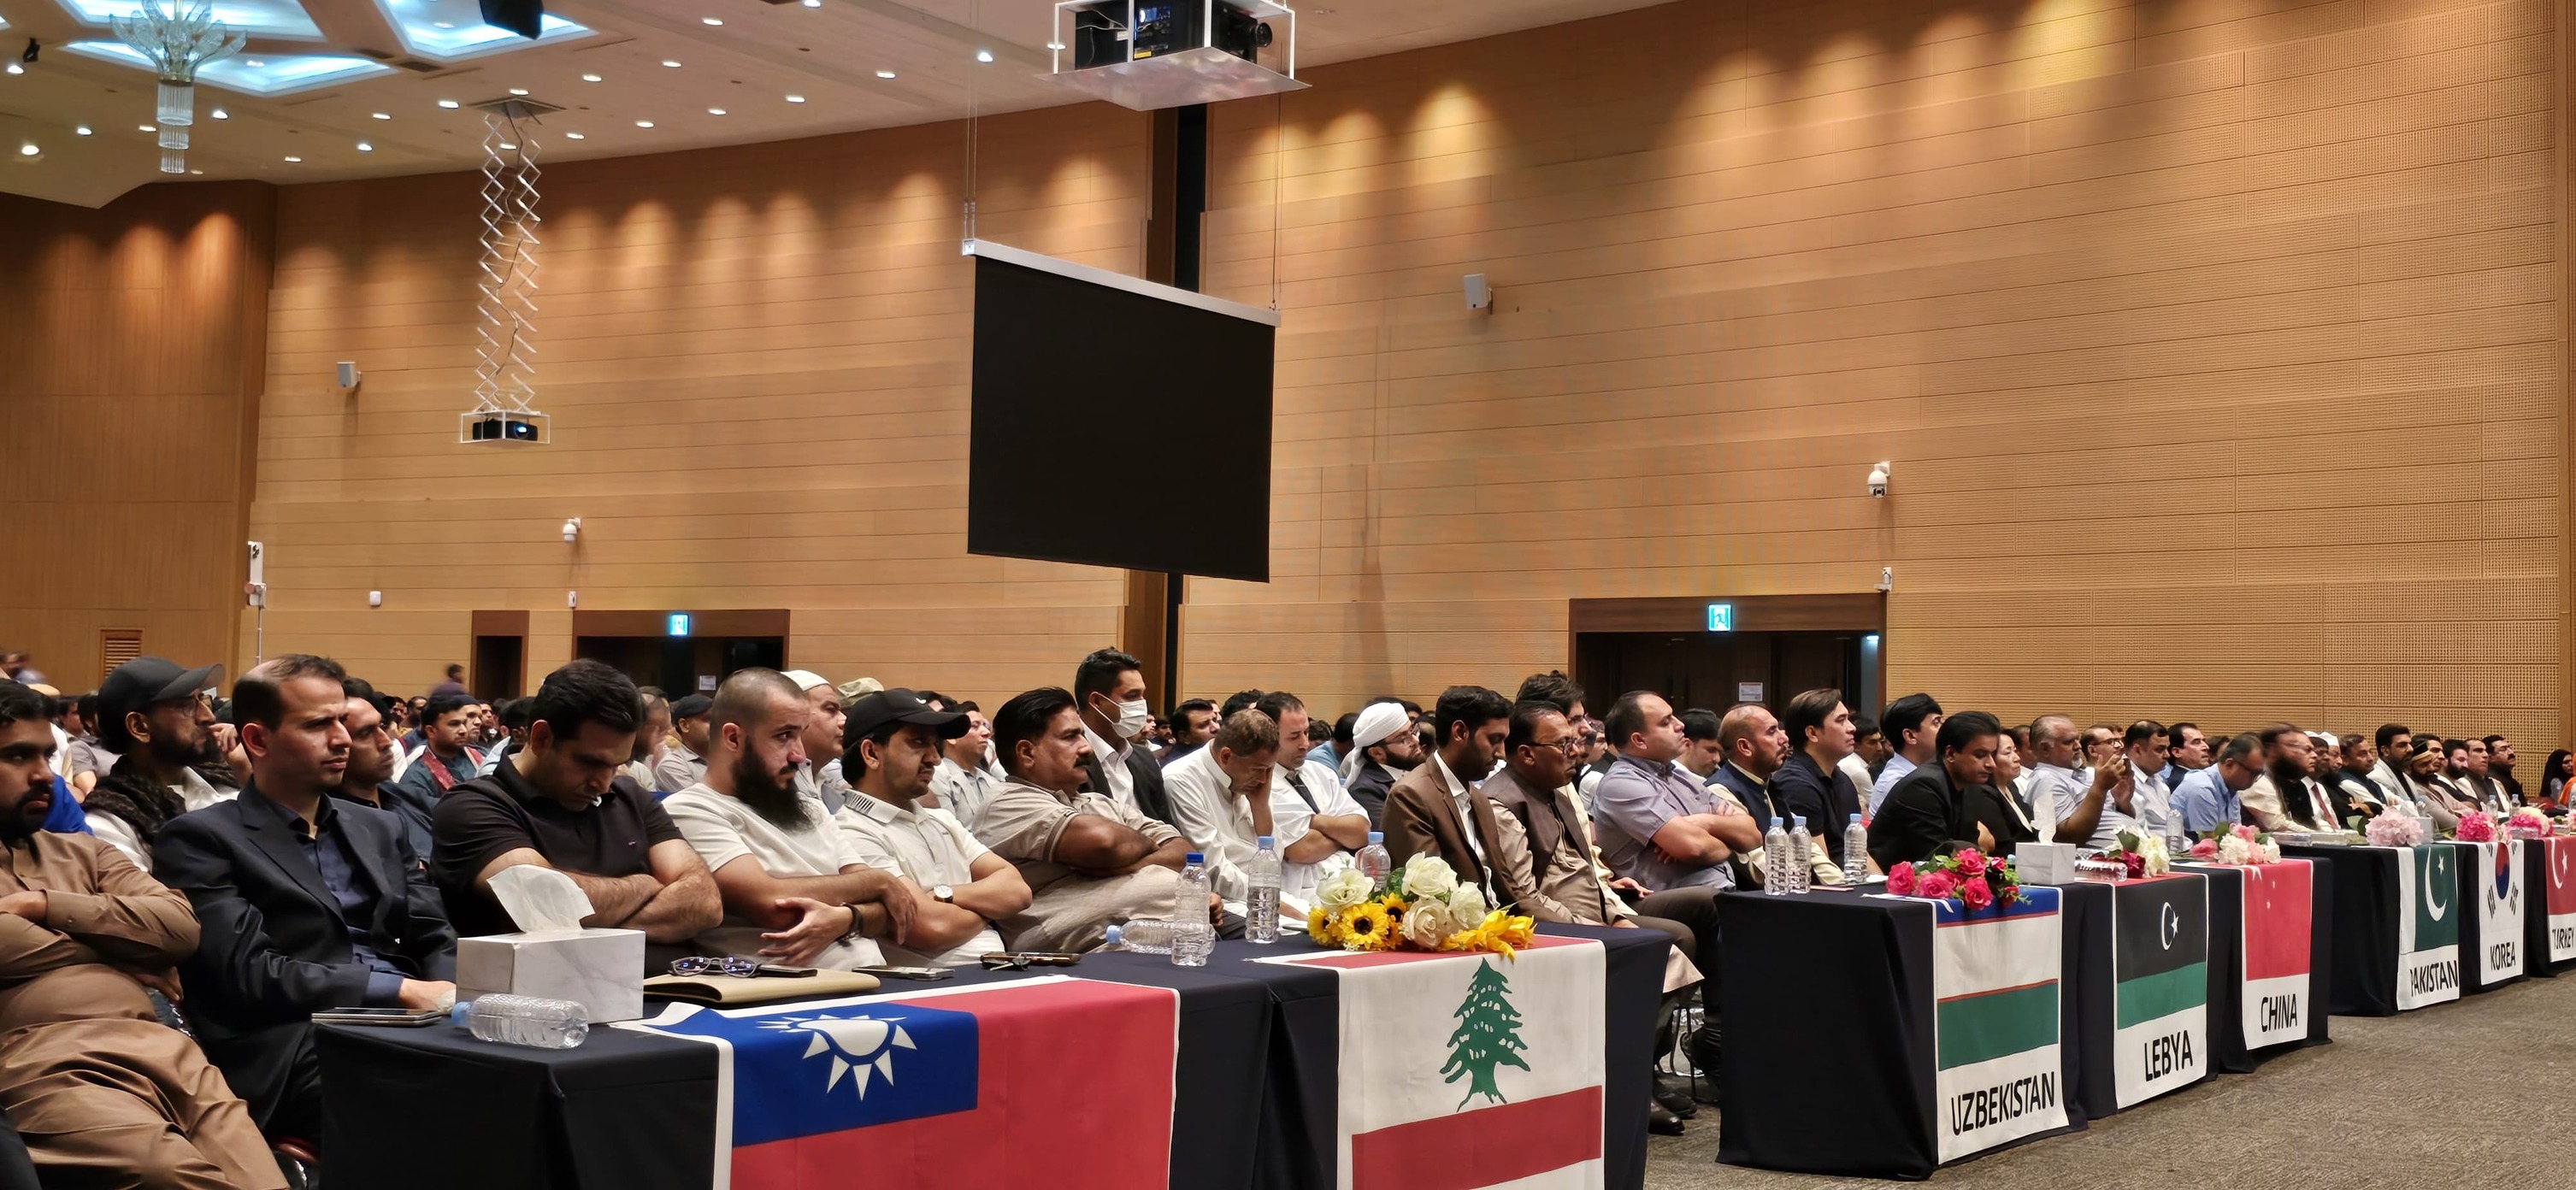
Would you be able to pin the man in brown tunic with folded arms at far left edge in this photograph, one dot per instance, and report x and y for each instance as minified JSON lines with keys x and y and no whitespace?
{"x":94,"y":1083}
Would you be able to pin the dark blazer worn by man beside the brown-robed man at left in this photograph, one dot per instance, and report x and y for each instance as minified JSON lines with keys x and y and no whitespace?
{"x":272,"y":941}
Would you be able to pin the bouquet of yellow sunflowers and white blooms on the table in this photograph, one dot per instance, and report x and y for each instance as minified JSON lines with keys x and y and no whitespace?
{"x":1416,"y":908}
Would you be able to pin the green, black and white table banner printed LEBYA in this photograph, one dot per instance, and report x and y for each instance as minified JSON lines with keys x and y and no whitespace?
{"x":2163,"y":985}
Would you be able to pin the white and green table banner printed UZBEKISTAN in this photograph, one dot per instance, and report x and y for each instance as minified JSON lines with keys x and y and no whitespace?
{"x":1995,"y":1021}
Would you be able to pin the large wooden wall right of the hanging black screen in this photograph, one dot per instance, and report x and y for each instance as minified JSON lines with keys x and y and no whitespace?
{"x":2217,"y":346}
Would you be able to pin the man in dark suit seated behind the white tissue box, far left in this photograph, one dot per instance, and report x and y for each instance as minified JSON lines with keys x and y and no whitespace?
{"x":303,"y":900}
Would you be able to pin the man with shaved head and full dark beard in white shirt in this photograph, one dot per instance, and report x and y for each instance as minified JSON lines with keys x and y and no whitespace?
{"x":795,"y":887}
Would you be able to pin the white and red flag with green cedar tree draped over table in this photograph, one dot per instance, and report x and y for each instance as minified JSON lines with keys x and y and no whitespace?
{"x":1470,"y":1070}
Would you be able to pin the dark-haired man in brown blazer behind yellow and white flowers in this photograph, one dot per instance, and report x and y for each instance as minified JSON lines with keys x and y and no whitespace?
{"x":1436,"y":810}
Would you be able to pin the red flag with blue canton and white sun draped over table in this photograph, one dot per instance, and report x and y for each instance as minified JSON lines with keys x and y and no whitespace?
{"x":942,"y":1088}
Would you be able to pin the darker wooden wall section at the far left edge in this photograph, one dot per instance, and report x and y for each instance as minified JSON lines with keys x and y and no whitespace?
{"x":130,"y":364}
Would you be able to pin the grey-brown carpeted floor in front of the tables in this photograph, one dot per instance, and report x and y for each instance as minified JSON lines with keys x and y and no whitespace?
{"x":2461,"y":1096}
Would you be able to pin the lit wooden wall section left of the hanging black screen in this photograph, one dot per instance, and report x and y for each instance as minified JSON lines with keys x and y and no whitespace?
{"x":756,"y":364}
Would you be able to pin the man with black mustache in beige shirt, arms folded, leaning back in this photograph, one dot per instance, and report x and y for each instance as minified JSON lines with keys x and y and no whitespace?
{"x":1088,"y":862}
